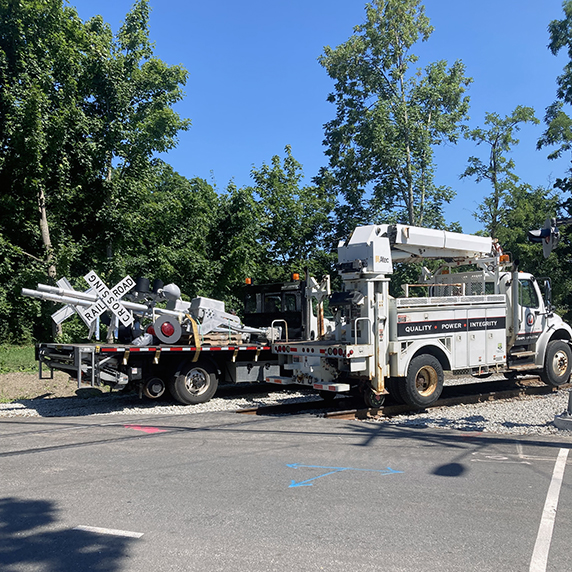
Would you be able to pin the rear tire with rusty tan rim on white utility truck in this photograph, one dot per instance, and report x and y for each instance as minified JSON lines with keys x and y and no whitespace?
{"x":424,"y":382}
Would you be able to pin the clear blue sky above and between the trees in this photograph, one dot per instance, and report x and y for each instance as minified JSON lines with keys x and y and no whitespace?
{"x":255,"y":84}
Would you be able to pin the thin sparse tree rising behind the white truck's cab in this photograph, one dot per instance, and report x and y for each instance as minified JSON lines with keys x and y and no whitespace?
{"x":498,"y":136}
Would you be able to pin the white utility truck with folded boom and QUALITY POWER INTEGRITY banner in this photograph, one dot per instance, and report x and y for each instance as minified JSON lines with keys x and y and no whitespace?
{"x":487,"y":320}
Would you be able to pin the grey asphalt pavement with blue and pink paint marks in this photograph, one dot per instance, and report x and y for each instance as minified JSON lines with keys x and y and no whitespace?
{"x":224,"y":491}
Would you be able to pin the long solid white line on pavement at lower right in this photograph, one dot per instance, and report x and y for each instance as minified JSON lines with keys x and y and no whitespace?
{"x":542,"y":546}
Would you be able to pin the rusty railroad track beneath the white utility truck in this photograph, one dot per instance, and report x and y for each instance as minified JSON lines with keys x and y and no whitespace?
{"x":348,"y":408}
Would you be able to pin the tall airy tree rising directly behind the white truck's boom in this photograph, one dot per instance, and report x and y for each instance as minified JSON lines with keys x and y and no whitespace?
{"x":389,"y":117}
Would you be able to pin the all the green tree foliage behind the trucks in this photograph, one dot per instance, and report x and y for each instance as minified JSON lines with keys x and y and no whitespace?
{"x":84,"y":112}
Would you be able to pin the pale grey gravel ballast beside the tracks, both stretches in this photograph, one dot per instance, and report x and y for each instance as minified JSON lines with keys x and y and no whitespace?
{"x":529,"y":415}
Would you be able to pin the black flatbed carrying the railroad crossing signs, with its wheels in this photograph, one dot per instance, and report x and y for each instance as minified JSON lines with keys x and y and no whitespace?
{"x":191,"y":374}
